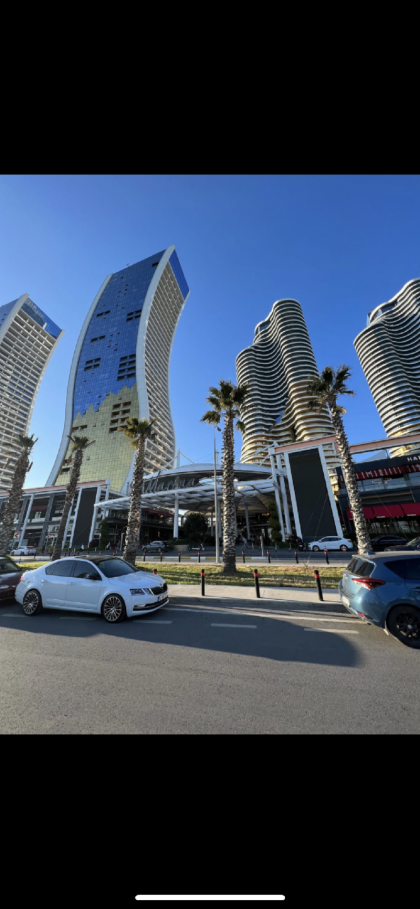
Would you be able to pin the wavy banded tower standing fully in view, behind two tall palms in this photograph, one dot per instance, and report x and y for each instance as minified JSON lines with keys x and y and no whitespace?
{"x":277,"y":366}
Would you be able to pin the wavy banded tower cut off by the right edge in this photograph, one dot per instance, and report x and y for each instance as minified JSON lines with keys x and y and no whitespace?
{"x":388,"y":350}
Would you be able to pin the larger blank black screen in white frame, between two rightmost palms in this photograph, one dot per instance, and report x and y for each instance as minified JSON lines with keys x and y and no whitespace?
{"x":314,"y":508}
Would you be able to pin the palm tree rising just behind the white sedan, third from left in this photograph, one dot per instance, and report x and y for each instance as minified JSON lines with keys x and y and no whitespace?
{"x":138,"y":431}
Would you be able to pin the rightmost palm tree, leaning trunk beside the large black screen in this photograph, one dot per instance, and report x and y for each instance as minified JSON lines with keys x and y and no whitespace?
{"x":325,"y":390}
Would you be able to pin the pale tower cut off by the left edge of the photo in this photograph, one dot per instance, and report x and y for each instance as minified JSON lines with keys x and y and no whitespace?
{"x":28,"y":338}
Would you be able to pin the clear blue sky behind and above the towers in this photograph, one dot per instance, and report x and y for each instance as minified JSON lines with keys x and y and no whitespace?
{"x":339,"y":244}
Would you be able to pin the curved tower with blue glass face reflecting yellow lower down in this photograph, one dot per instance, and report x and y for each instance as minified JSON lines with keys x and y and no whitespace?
{"x":120,"y":369}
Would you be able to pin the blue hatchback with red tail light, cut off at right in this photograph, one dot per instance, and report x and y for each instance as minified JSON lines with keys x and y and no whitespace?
{"x":383,"y":588}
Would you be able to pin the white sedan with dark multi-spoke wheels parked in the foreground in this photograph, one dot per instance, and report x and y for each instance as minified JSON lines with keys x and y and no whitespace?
{"x":101,"y":584}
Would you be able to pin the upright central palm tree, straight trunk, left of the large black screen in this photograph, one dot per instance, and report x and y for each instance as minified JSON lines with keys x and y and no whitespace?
{"x":228,"y":400}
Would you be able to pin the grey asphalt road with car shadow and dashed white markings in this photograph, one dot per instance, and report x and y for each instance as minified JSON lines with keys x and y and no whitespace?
{"x":204,"y":670}
